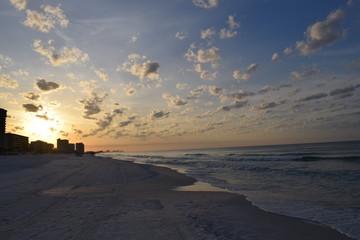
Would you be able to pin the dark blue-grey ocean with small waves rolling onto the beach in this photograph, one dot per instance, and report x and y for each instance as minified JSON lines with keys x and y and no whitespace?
{"x":317,"y":181}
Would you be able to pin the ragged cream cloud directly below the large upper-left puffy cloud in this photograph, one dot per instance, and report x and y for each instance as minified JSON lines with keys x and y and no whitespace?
{"x":57,"y":58}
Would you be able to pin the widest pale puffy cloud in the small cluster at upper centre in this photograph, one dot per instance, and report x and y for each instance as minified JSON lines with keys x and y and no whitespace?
{"x":211,"y":55}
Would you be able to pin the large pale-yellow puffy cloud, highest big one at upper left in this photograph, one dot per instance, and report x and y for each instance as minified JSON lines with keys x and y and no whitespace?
{"x":47,"y":20}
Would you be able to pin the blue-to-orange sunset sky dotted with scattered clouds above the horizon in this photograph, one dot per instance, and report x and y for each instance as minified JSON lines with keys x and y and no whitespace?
{"x":140,"y":75}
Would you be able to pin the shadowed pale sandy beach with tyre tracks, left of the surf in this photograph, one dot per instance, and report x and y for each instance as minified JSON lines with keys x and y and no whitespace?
{"x":70,"y":197}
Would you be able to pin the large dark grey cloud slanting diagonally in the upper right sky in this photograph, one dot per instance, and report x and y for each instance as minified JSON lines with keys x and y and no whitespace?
{"x":322,"y":33}
